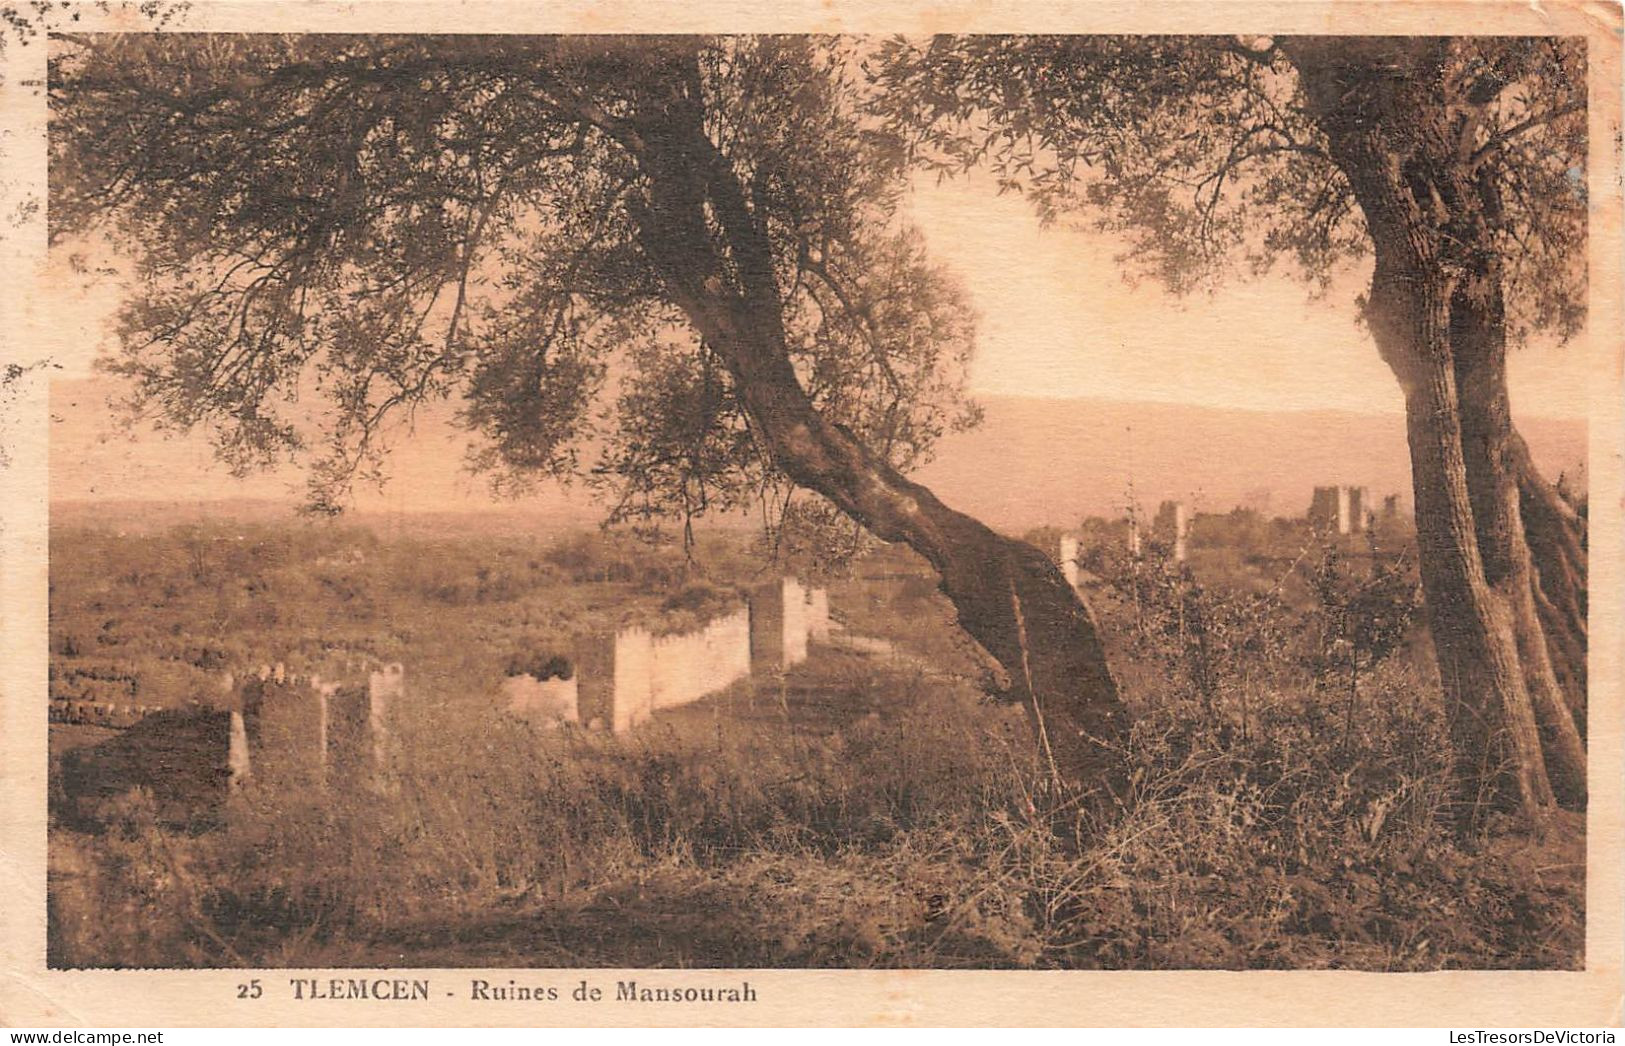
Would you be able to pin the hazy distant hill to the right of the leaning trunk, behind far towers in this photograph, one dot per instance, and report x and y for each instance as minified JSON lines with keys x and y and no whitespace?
{"x":1038,"y":462}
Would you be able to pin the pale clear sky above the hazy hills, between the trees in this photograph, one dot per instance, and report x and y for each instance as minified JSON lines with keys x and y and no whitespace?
{"x":1059,"y":321}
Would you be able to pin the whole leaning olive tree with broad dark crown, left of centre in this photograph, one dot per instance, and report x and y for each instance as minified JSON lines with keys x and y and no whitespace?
{"x":511,"y":220}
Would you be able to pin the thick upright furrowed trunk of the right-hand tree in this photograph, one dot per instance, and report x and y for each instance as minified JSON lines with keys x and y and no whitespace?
{"x":1390,"y":129}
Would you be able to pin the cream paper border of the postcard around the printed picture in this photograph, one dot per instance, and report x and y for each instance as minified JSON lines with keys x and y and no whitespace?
{"x":32,"y":995}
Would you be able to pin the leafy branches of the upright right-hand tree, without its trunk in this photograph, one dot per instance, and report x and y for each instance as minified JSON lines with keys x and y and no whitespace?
{"x":1207,"y":157}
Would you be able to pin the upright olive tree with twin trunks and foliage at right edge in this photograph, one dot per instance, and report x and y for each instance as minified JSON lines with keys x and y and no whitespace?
{"x":1457,"y":166}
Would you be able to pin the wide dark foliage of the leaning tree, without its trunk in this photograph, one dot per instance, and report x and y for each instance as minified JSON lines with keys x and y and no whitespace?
{"x":388,"y":222}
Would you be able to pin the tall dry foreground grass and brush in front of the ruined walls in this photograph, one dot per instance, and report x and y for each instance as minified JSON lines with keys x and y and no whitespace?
{"x":862,"y":813}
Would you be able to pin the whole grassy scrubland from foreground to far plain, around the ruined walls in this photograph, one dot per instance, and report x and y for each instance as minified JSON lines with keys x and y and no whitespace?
{"x":1291,"y":805}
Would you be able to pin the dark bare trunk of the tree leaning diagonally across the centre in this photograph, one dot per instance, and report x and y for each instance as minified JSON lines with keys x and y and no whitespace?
{"x":1010,"y":597}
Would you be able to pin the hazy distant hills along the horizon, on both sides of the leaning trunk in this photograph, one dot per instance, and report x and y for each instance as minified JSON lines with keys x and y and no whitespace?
{"x":1033,"y":462}
